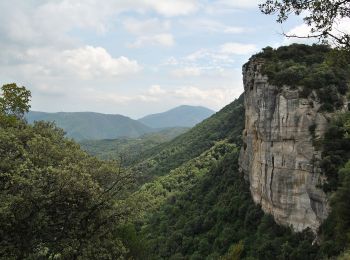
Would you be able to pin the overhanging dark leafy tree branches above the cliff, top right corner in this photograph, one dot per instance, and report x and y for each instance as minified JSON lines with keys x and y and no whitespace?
{"x":322,"y":16}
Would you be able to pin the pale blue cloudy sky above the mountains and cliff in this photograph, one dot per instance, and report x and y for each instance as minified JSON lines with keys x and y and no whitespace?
{"x":132,"y":57}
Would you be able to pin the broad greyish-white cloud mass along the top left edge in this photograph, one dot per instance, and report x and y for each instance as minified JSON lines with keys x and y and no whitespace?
{"x":48,"y":22}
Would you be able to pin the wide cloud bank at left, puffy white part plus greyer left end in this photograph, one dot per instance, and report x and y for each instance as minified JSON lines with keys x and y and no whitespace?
{"x":82,"y":63}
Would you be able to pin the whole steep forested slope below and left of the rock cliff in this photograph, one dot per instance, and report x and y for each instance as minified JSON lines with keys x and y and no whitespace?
{"x":198,"y":205}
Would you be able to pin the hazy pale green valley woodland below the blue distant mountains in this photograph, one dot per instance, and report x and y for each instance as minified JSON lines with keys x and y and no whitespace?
{"x":129,"y":149}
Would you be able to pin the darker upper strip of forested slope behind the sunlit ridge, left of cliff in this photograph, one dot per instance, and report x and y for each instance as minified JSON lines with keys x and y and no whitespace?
{"x":227,"y":123}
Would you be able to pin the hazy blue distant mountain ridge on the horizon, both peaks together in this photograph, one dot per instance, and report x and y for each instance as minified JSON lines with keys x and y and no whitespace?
{"x":87,"y":125}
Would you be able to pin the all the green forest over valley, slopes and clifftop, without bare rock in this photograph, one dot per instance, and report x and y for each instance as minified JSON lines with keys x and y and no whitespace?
{"x":181,"y":198}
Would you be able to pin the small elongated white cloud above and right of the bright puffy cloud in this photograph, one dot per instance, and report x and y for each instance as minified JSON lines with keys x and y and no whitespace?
{"x":164,"y":39}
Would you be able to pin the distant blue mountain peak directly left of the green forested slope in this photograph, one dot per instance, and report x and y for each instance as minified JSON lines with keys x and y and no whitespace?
{"x":182,"y":116}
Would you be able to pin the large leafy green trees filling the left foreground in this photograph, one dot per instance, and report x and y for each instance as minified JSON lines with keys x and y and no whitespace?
{"x":57,"y":202}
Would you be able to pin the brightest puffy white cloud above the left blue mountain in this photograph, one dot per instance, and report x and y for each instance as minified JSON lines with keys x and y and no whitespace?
{"x":89,"y":62}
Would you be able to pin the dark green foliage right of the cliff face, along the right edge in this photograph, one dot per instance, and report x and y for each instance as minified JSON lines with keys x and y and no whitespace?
{"x":335,"y":231}
